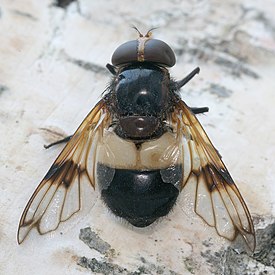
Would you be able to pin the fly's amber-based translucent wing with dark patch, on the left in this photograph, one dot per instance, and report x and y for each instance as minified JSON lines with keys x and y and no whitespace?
{"x":58,"y":196}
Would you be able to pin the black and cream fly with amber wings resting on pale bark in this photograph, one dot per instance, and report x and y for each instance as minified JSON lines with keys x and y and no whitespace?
{"x":140,"y":146}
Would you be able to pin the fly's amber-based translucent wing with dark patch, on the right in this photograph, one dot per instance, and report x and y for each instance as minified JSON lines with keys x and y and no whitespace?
{"x":217,"y":199}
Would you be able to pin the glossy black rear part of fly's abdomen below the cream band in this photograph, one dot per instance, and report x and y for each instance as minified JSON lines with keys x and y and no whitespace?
{"x":140,"y":197}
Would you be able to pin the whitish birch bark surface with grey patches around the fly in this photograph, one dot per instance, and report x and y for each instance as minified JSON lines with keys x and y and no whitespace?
{"x":52,"y":72}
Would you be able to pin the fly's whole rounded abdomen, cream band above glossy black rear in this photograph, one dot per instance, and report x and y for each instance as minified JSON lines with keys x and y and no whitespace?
{"x":139,"y":183}
